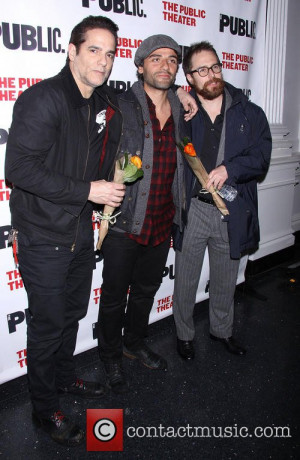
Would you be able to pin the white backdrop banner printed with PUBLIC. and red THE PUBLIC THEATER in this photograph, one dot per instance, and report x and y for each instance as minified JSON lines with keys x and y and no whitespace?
{"x":34,"y":38}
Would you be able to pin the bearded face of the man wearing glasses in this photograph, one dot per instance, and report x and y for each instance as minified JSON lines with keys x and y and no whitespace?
{"x":211,"y":86}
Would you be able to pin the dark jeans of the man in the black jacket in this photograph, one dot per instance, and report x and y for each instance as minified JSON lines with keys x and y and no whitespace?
{"x":58,"y":284}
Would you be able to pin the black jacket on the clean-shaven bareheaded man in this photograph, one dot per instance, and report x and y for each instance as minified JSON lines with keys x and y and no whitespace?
{"x":47,"y":157}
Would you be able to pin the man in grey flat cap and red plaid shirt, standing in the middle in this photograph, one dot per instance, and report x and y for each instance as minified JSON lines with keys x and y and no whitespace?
{"x":135,"y":249}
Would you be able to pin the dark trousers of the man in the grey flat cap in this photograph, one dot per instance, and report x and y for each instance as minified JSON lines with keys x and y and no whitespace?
{"x":127,"y":264}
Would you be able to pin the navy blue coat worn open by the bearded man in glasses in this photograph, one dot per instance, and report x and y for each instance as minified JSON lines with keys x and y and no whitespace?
{"x":248,"y":146}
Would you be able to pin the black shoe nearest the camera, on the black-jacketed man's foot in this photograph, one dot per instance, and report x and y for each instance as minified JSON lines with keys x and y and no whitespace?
{"x":60,"y":428}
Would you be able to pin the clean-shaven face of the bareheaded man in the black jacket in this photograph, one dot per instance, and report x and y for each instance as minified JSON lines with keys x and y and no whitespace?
{"x":92,"y":65}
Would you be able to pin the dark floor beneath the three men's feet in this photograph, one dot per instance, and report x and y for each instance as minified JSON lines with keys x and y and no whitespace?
{"x":217,"y":390}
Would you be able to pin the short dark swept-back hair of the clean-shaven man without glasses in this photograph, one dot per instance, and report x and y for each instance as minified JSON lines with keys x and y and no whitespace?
{"x":90,"y":23}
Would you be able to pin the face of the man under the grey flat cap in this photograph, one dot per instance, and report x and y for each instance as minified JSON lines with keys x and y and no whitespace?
{"x":159,"y":69}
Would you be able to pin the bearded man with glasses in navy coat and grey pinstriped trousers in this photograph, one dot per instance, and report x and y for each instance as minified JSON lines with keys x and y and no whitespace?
{"x":231,"y":136}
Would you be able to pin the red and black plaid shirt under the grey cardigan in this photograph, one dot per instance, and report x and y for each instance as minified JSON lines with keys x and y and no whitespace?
{"x":160,"y":207}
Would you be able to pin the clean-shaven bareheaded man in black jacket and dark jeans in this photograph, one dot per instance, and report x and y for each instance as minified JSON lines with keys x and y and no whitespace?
{"x":58,"y":150}
